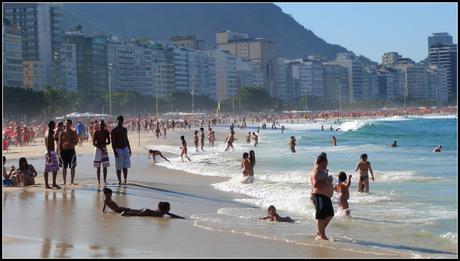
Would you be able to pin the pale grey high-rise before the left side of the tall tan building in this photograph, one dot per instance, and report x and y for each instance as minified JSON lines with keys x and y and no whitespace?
{"x":225,"y":74}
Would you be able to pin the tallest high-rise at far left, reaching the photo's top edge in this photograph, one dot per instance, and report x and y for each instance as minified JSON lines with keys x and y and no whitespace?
{"x":42,"y":31}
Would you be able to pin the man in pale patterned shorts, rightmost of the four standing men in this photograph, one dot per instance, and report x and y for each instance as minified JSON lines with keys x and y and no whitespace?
{"x":121,"y":149}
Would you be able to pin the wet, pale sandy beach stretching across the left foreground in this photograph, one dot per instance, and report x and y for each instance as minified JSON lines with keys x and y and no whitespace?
{"x":69,"y":223}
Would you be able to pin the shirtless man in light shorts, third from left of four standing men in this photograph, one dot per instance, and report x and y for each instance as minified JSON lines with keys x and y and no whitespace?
{"x":101,"y":139}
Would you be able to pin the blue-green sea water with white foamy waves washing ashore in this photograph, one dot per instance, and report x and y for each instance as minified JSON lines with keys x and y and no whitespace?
{"x":412,"y":206}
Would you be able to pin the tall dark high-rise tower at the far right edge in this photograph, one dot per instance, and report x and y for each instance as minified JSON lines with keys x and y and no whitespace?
{"x":445,"y":55}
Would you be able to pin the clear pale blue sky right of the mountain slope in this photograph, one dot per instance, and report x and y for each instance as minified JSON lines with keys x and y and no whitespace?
{"x":371,"y":29}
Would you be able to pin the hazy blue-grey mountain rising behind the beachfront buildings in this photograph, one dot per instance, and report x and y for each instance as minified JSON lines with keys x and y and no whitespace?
{"x":161,"y":21}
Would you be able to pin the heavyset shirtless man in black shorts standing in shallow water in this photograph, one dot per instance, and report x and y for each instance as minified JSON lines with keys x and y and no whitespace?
{"x":322,"y":191}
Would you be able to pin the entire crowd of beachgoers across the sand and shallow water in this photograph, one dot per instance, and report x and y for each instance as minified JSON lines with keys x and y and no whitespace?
{"x":61,"y":140}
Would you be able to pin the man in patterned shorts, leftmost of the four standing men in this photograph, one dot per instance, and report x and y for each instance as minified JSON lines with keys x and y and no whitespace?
{"x":51,"y":161}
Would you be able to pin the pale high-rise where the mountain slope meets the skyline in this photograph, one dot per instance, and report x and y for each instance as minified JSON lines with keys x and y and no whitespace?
{"x":355,"y":75}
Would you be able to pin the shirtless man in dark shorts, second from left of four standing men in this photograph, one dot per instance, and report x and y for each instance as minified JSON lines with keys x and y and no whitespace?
{"x":68,"y":139}
